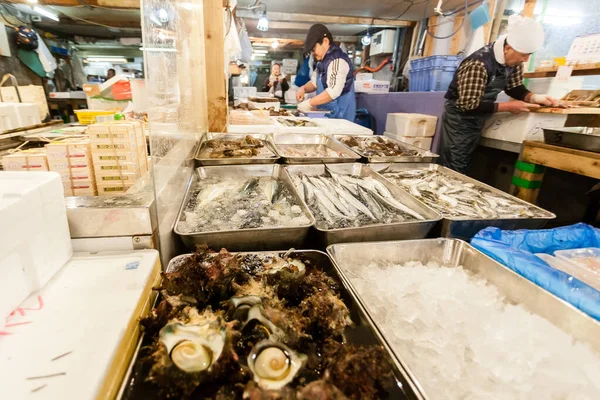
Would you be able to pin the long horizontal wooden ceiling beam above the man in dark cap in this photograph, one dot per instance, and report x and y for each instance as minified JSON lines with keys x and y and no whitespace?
{"x":329,"y":19}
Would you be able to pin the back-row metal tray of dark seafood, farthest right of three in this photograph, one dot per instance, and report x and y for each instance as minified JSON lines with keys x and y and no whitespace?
{"x":380,"y":149}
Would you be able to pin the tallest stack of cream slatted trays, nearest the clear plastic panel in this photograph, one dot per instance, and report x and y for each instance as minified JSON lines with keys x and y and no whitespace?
{"x":119,"y":155}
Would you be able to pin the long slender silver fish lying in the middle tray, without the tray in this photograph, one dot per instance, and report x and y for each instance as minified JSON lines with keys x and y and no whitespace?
{"x":344,"y":201}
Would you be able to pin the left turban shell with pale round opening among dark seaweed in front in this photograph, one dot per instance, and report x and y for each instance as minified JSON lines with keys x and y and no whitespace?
{"x":193,"y":348}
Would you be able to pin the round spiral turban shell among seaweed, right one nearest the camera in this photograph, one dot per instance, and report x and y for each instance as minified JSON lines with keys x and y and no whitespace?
{"x":274,"y":365}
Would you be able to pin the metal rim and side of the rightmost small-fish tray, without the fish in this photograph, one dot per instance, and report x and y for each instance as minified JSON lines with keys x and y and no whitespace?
{"x":466,"y":227}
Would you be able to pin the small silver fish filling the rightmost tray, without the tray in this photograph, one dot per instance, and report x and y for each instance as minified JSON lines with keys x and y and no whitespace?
{"x":453,"y":197}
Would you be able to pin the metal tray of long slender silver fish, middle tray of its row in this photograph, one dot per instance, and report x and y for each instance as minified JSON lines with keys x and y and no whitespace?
{"x":351,"y":203}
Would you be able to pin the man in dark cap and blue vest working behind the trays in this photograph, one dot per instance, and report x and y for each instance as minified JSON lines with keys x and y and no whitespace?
{"x":333,"y":78}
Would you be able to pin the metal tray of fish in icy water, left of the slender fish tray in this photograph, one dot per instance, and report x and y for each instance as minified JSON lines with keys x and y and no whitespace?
{"x":242,"y":207}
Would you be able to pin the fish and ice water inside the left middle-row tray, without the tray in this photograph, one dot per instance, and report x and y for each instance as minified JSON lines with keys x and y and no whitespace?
{"x":241,"y":203}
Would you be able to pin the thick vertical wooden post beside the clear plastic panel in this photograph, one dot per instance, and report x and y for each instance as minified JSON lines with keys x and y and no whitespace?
{"x":216,"y":84}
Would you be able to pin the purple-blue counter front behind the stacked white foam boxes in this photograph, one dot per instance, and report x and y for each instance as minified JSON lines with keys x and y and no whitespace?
{"x":380,"y":104}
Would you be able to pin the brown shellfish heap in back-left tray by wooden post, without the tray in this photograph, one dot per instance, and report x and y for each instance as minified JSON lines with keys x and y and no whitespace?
{"x":246,"y":147}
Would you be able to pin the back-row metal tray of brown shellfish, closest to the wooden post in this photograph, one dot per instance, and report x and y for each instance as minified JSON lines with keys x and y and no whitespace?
{"x":227,"y":149}
